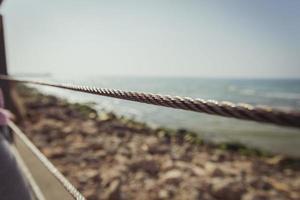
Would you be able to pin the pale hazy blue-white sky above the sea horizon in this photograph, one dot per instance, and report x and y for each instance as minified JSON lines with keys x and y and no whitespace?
{"x":257,"y":38}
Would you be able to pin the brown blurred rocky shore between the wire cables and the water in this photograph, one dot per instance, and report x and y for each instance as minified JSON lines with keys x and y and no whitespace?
{"x":107,"y":156}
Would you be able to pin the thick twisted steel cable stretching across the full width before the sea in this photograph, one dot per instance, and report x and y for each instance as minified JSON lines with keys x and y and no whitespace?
{"x":243,"y":111}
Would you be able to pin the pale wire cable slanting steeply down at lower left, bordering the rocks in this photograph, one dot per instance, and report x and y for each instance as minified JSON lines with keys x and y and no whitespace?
{"x":50,"y":167}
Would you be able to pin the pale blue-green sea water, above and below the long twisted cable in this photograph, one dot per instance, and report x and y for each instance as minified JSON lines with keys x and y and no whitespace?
{"x":284,"y":94}
